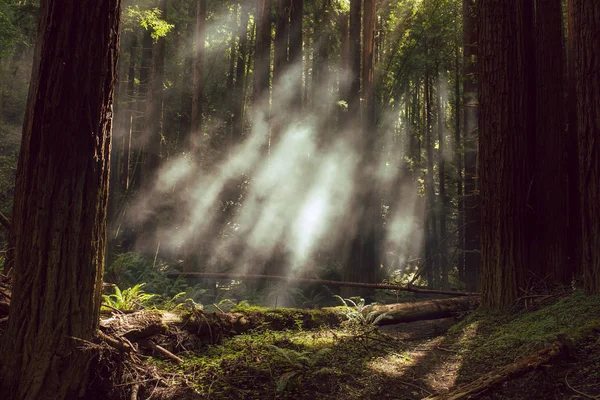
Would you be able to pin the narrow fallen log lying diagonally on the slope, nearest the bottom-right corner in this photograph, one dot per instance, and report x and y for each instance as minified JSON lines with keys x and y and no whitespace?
{"x":511,"y":371}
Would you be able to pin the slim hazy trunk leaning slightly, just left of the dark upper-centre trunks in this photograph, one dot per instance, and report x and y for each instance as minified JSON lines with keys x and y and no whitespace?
{"x":240,"y":75}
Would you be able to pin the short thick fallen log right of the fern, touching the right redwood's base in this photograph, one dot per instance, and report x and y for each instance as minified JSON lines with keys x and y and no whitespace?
{"x":423,"y":310}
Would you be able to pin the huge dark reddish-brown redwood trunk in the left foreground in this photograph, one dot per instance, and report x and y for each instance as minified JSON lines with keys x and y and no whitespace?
{"x":61,"y":202}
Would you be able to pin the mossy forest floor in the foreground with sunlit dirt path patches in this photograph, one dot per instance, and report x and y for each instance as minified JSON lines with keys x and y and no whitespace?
{"x":424,"y":359}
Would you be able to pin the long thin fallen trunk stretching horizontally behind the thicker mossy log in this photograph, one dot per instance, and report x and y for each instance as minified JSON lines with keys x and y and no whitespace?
{"x":242,"y":277}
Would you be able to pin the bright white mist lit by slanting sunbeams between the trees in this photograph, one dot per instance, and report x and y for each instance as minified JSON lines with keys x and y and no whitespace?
{"x":287,"y":190}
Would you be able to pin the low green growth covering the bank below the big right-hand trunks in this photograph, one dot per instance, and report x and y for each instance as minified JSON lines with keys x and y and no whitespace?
{"x":501,"y":338}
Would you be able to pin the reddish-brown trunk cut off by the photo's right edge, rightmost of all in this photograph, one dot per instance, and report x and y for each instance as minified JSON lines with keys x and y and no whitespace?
{"x":586,"y":21}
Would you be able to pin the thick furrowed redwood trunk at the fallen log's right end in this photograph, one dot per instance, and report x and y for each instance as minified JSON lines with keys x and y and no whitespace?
{"x":503,"y":157}
